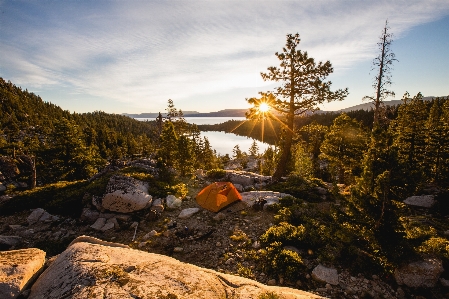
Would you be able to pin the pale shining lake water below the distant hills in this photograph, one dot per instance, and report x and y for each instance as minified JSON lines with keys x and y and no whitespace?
{"x":222,"y":142}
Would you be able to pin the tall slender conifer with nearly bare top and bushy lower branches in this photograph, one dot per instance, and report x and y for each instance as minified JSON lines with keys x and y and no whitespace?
{"x":372,"y":195}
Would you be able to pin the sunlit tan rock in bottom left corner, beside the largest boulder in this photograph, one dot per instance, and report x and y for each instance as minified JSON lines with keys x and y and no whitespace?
{"x":17,"y":268}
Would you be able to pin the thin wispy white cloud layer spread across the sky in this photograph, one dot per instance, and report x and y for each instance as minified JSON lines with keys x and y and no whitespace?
{"x":141,"y":53}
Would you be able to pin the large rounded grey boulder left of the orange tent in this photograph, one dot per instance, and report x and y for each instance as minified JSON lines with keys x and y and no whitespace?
{"x":125,"y":195}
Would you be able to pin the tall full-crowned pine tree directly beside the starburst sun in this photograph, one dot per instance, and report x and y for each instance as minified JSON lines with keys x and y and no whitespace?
{"x":303,"y":88}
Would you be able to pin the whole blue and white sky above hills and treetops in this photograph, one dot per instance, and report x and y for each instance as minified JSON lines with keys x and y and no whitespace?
{"x":132,"y":56}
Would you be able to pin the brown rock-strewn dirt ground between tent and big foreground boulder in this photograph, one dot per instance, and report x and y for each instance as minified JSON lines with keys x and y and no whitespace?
{"x":227,"y":242}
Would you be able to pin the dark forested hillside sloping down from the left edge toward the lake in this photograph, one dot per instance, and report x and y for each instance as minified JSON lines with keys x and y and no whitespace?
{"x":59,"y":145}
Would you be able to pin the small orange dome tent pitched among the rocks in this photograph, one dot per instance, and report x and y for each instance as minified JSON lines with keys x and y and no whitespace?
{"x":218,"y":195}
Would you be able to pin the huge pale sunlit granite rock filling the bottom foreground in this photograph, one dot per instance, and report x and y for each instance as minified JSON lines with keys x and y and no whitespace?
{"x":87,"y":270}
